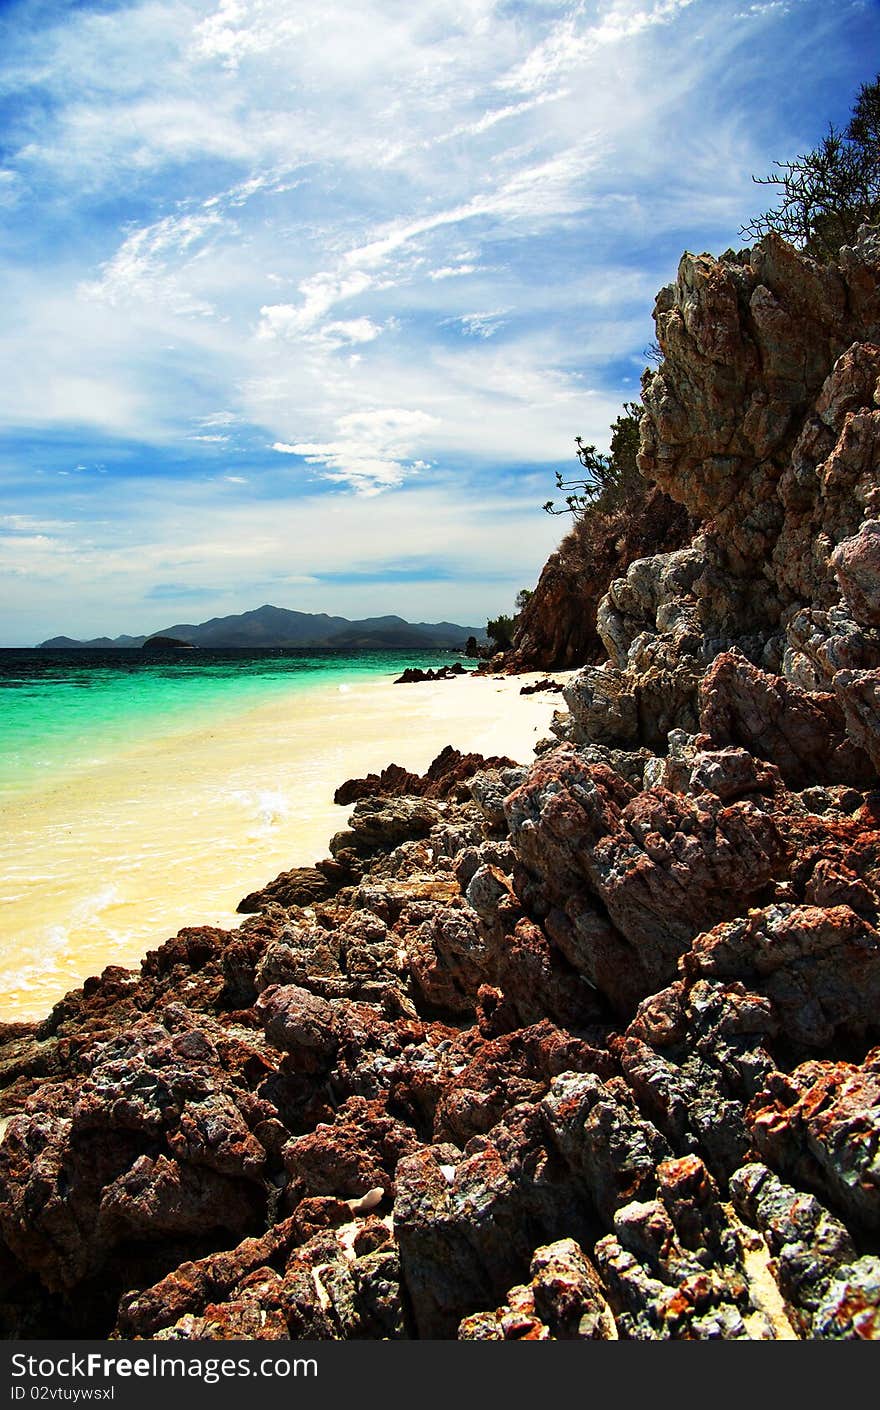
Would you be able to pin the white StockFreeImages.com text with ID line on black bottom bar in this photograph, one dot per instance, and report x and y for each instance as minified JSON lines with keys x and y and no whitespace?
{"x":98,"y":1366}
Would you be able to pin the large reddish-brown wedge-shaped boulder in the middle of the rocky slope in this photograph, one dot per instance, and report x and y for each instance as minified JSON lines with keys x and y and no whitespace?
{"x":662,"y":866}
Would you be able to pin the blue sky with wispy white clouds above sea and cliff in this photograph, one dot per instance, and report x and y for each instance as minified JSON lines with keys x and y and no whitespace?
{"x":305,"y":301}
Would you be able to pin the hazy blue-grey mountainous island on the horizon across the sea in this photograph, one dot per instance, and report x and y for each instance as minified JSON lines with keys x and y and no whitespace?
{"x":279,"y":627}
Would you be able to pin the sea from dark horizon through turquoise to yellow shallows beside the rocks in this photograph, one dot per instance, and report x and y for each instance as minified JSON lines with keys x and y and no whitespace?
{"x":142,"y":792}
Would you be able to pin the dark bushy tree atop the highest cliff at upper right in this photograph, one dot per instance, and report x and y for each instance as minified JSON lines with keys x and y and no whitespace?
{"x":831,"y":191}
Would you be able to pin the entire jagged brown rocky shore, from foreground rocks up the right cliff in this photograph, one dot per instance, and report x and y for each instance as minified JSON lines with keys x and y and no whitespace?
{"x":583,"y":1048}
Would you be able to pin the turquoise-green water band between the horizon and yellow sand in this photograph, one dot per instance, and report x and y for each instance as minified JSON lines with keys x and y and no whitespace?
{"x":67,"y":711}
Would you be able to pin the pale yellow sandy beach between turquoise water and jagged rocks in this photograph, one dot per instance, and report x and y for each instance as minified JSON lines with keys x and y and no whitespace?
{"x":102,"y":866}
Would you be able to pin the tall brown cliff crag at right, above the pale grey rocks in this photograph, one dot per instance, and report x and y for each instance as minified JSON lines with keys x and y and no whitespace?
{"x":764,"y":424}
